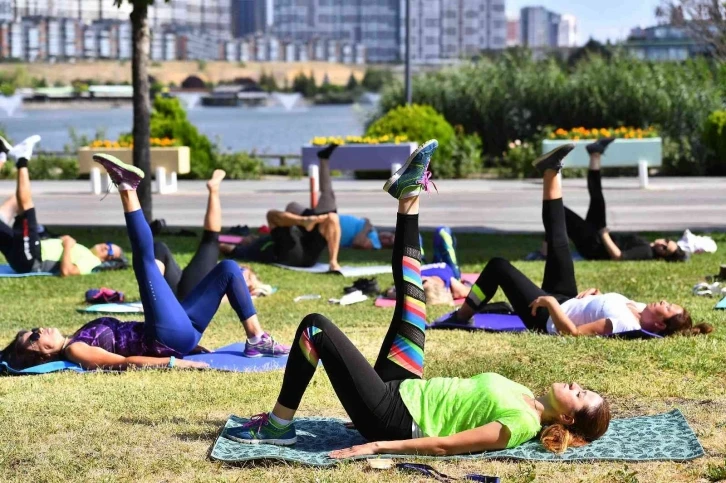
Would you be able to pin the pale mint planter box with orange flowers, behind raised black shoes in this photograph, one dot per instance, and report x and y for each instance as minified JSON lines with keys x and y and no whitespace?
{"x":621,"y":153}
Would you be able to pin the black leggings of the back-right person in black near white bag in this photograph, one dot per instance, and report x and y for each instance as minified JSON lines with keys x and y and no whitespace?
{"x":585,"y":233}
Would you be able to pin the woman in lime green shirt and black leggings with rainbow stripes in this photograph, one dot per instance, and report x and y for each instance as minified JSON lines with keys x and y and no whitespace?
{"x":391,"y":405}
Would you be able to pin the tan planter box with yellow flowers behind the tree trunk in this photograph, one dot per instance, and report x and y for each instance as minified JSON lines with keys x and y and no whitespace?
{"x":173,"y":160}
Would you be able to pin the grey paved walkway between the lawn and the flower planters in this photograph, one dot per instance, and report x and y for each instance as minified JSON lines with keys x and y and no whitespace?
{"x":670,"y":204}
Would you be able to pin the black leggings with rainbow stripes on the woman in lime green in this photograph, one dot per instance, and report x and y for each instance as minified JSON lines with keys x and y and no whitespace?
{"x":369,"y":394}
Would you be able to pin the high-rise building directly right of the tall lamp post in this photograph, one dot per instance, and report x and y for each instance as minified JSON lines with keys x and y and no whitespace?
{"x":452,"y":29}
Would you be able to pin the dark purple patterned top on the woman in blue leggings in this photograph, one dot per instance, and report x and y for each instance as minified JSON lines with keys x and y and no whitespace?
{"x":122,"y":338}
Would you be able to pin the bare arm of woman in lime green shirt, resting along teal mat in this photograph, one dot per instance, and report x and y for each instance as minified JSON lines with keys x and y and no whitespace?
{"x":491,"y":436}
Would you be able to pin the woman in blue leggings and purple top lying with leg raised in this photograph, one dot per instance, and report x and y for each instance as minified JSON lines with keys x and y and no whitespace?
{"x":172,"y":329}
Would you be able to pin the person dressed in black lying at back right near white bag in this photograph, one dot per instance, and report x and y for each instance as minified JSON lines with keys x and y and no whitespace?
{"x":591,"y":236}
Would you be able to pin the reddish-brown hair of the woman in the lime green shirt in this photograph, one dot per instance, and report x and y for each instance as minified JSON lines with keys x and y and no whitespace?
{"x":589,"y":425}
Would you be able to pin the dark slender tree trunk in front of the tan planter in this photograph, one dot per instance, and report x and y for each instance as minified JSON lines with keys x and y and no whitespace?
{"x":141,"y":101}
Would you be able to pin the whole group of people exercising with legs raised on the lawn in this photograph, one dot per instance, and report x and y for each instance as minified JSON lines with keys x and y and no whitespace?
{"x":389,"y":403}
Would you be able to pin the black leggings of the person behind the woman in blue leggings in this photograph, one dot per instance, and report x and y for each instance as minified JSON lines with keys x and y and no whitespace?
{"x":204,"y":260}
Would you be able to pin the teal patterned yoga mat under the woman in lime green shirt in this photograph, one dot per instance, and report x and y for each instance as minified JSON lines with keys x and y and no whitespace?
{"x":663,"y":437}
